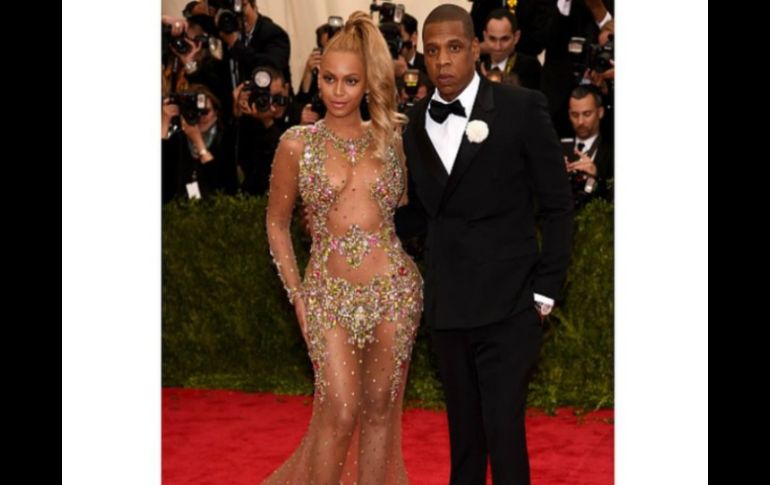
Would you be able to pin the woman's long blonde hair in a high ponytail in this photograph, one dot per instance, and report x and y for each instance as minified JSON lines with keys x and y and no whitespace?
{"x":362,"y":37}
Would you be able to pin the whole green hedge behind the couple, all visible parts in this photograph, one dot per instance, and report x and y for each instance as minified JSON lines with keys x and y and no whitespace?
{"x":227,"y":324}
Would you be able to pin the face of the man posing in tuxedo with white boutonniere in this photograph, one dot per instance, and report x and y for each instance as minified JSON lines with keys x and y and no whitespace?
{"x":450,"y":57}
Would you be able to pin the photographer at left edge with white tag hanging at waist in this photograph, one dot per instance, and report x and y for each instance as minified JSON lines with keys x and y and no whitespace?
{"x":196,"y":149}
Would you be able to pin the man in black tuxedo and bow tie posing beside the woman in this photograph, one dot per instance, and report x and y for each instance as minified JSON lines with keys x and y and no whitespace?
{"x":479,"y":155}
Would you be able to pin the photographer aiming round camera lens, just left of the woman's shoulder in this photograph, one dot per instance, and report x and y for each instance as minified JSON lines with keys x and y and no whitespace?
{"x":265,"y":112}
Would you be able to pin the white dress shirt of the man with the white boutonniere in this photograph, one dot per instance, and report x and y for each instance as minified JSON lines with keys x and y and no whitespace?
{"x":447,"y":136}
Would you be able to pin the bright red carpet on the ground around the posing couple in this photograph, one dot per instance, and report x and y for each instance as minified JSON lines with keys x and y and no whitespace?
{"x":228,"y":437}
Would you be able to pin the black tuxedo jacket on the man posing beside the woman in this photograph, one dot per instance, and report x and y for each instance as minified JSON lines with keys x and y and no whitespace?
{"x":481,"y":250}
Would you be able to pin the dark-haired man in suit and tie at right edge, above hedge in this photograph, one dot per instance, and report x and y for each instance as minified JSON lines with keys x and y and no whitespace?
{"x":588,"y":156}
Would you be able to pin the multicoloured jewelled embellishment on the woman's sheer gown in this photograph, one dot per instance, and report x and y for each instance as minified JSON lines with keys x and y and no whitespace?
{"x":331,"y":300}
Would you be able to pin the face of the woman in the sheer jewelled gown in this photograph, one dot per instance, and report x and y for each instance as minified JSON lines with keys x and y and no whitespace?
{"x":342,"y":81}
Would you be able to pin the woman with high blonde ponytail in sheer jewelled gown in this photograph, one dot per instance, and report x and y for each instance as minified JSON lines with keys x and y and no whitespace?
{"x":360,"y":302}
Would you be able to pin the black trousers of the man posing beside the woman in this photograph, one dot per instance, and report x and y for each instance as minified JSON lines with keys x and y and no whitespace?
{"x":485,"y":372}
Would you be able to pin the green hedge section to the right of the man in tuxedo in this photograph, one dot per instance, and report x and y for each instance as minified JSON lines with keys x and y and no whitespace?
{"x":576,"y":364}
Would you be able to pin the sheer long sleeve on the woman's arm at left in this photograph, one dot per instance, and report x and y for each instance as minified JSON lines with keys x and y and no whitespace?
{"x":280,"y":206}
